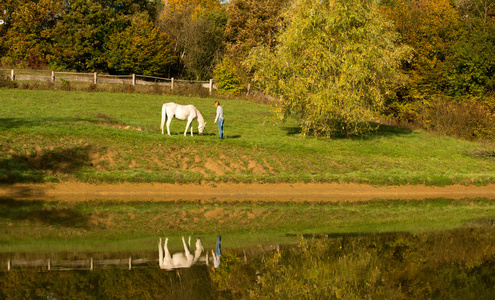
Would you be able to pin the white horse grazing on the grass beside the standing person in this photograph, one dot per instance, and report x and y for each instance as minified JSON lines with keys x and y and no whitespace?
{"x":181,"y":112}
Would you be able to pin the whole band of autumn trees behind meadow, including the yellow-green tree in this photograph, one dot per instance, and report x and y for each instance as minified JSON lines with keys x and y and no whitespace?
{"x":334,"y":64}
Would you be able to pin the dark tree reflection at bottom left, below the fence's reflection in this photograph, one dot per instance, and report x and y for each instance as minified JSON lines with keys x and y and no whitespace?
{"x":148,"y":283}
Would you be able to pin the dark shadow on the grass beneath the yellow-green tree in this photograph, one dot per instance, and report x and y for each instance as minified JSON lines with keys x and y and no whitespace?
{"x":382,"y":131}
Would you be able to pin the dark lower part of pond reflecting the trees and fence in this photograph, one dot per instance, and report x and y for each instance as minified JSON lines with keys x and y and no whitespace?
{"x":454,"y":264}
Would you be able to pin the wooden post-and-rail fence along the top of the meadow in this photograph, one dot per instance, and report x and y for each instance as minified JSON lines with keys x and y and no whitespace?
{"x":95,"y":78}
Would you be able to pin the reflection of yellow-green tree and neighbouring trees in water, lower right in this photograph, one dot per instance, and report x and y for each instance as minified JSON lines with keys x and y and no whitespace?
{"x":450,"y":264}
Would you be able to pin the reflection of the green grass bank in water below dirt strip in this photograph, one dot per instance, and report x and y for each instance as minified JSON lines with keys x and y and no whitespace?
{"x":133,"y":226}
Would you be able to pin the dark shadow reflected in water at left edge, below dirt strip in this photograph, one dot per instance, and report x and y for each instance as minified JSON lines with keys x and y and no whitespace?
{"x":35,"y":212}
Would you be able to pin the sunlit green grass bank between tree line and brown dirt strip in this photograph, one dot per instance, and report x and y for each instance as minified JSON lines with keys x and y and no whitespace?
{"x":115,"y":137}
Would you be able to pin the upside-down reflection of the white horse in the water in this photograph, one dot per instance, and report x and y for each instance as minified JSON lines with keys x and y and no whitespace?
{"x":178,"y":260}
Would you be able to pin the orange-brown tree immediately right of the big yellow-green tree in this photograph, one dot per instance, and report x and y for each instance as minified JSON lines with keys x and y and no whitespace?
{"x":431,"y":28}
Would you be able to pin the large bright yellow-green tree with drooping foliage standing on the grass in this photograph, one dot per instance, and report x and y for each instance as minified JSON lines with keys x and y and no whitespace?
{"x":332,"y":66}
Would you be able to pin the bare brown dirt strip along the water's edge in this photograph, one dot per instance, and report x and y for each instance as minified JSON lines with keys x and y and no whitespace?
{"x":237,"y":192}
